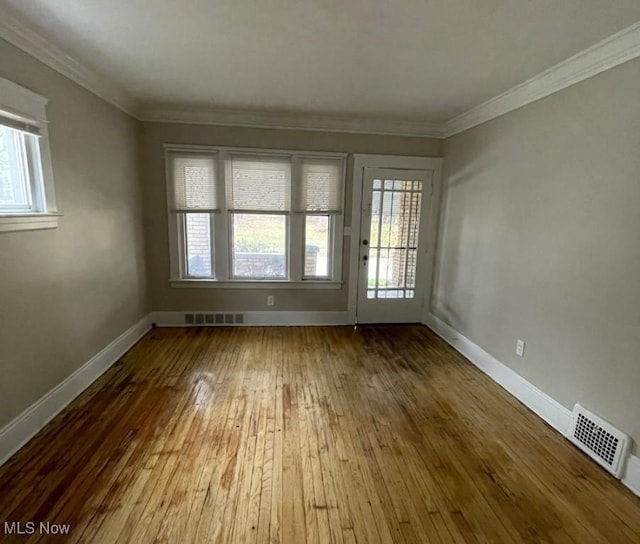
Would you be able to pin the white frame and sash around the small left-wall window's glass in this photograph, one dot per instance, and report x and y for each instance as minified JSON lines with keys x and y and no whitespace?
{"x":24,"y":107}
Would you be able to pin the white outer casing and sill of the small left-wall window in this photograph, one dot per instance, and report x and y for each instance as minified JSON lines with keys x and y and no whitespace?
{"x":26,"y":104}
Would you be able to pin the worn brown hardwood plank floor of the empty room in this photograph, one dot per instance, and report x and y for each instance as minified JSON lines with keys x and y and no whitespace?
{"x":292,"y":435}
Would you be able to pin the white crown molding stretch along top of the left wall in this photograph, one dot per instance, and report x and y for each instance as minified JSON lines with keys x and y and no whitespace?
{"x":31,"y":42}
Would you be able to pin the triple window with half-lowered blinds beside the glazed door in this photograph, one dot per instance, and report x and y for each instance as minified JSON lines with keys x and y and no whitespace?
{"x":246,"y":216}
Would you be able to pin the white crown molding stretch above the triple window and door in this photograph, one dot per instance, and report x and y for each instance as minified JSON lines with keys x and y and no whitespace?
{"x":295,"y":121}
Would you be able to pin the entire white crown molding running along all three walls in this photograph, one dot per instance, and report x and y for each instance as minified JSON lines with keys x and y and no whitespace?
{"x":609,"y":53}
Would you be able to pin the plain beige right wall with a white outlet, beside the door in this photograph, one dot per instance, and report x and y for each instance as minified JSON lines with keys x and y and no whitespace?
{"x":540,"y":240}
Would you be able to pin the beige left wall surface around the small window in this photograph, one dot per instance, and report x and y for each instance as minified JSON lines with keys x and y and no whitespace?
{"x":68,"y":292}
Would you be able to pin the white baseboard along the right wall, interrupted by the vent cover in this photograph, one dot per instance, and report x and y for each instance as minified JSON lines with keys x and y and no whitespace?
{"x":548,"y":409}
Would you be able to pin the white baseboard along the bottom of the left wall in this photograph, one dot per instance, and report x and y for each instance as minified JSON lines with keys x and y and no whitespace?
{"x":20,"y":430}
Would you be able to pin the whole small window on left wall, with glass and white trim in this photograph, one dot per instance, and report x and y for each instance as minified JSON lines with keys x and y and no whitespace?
{"x":27,"y":199}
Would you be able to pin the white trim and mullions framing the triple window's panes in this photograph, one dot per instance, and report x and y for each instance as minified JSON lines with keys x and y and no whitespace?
{"x":221,"y":234}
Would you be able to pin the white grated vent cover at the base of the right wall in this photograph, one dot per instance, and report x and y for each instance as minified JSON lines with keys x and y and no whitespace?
{"x":601,"y":441}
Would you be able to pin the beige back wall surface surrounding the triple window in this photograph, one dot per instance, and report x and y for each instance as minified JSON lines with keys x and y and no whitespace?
{"x":163,"y":297}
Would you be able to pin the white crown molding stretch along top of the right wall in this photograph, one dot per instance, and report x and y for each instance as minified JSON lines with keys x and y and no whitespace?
{"x":609,"y":53}
